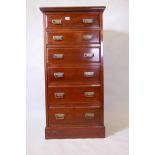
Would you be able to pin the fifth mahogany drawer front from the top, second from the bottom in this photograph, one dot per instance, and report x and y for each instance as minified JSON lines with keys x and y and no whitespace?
{"x":70,"y":95}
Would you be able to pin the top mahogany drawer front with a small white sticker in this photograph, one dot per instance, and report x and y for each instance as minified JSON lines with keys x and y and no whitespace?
{"x":73,"y":20}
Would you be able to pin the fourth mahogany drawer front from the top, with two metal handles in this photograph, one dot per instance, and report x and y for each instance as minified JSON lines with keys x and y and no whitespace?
{"x":74,"y":74}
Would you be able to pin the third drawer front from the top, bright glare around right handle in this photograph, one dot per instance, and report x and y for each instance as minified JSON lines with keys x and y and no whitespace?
{"x":73,"y":55}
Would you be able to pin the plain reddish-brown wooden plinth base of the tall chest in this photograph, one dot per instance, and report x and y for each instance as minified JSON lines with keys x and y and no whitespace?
{"x":59,"y":132}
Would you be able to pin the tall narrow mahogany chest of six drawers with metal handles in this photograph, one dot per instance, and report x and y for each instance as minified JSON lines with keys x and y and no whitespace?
{"x":74,"y":85}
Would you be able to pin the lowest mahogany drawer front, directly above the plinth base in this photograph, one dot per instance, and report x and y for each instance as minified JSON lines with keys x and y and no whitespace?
{"x":73,"y":116}
